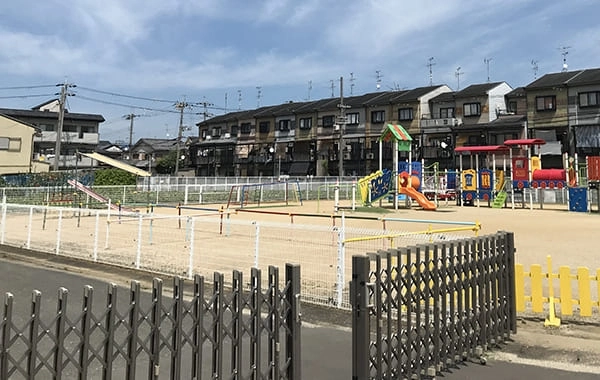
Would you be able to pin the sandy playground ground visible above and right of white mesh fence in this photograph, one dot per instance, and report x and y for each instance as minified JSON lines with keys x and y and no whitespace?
{"x":568,"y":237}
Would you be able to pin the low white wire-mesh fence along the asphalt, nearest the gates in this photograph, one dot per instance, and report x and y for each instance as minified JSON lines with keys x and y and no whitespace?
{"x":206,"y":242}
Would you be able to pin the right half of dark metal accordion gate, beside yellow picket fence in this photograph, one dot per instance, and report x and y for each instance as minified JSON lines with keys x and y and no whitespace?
{"x":420,"y":310}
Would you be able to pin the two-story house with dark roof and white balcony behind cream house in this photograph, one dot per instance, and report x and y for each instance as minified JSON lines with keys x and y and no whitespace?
{"x":79,"y":133}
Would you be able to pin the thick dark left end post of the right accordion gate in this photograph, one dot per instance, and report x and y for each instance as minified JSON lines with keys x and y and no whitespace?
{"x":359,"y":297}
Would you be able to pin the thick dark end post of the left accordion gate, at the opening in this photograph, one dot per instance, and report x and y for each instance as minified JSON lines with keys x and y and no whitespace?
{"x":293,"y":322}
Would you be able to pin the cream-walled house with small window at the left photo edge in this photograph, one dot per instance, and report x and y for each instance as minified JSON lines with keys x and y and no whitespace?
{"x":16,"y":148}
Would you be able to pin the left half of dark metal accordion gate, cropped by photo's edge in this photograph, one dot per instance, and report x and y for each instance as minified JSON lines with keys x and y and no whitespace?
{"x":245,"y":332}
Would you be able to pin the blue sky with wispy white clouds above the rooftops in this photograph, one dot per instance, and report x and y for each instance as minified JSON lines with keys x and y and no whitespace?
{"x":142,"y":57}
